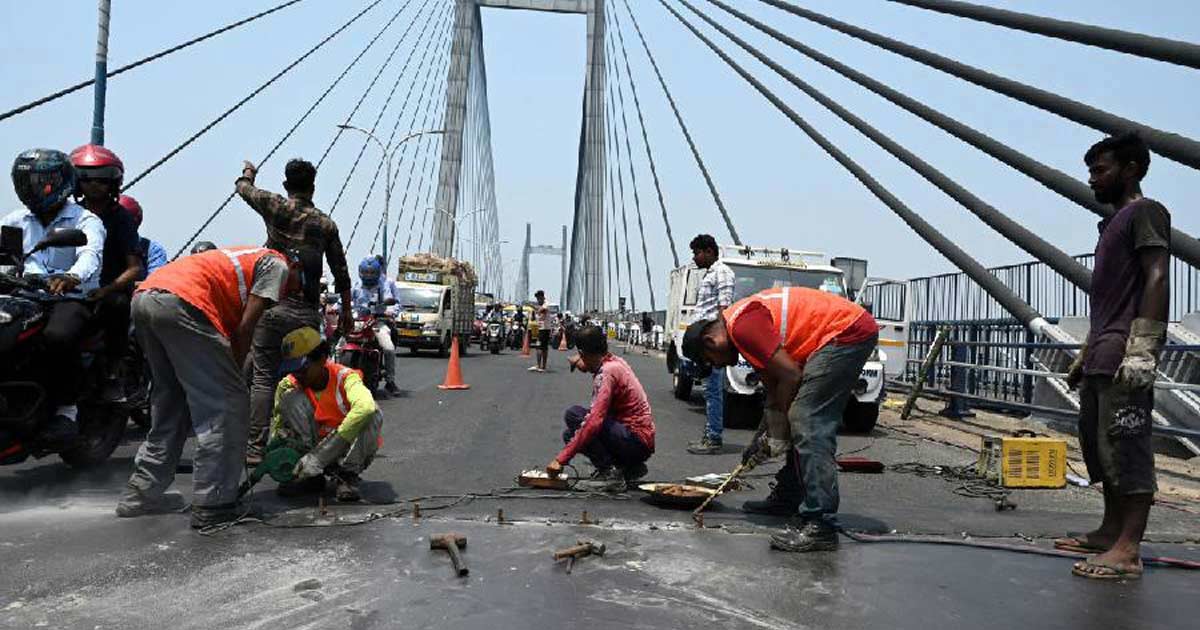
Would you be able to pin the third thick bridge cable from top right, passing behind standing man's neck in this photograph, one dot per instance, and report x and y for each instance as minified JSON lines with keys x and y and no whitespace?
{"x":1184,"y":245}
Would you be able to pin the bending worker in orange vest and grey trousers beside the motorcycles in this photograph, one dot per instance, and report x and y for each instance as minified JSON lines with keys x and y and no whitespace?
{"x":195,"y":320}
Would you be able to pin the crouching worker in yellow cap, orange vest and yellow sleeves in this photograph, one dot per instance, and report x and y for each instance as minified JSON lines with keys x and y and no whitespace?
{"x":325,"y":410}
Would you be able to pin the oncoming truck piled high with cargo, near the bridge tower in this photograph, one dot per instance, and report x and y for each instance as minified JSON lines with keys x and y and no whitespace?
{"x":437,"y":304}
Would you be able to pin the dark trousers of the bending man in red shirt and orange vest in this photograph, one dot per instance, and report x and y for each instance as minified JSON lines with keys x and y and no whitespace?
{"x":811,"y":475}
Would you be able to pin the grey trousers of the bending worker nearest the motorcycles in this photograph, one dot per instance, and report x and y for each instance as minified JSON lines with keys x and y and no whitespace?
{"x":196,"y":387}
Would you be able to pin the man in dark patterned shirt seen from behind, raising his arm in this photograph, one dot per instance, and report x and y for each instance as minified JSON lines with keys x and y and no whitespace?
{"x":293,"y":224}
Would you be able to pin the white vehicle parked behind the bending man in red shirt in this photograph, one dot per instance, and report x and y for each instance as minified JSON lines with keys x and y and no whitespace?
{"x":757,"y":269}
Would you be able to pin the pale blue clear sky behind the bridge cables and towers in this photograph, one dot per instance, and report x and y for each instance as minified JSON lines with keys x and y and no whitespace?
{"x":781,"y":189}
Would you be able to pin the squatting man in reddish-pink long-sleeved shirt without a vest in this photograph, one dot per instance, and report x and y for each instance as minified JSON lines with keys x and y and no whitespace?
{"x":617,"y":433}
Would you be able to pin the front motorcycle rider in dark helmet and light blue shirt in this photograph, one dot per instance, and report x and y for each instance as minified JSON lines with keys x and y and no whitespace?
{"x":45,"y":182}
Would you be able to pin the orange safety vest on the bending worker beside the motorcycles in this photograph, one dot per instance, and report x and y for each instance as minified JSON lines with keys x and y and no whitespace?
{"x":218,"y":283}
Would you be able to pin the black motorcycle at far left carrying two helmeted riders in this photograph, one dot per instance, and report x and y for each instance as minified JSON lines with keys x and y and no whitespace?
{"x":25,"y":404}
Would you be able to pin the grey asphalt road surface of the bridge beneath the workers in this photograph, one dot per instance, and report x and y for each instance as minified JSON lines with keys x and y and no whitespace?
{"x":70,"y":563}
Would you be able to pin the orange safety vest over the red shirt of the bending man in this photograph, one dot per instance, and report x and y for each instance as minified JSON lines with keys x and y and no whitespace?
{"x":807,"y":319}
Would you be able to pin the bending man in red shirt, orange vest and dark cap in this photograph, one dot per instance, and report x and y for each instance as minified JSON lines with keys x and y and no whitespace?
{"x":809,"y":349}
